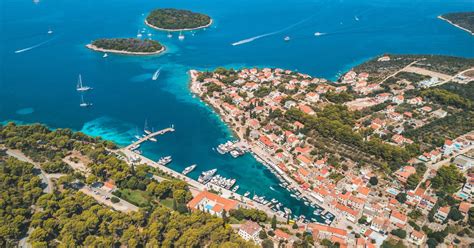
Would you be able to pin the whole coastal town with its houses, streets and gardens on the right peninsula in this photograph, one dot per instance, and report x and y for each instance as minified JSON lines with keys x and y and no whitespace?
{"x":373,"y":202}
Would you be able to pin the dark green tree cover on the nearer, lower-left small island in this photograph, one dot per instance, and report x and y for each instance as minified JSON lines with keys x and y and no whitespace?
{"x":128,"y":45}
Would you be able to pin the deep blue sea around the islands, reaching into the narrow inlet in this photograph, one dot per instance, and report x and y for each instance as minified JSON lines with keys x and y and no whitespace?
{"x":38,"y":83}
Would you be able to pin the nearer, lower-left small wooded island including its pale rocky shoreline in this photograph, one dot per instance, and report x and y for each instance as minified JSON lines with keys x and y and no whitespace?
{"x":131,"y":46}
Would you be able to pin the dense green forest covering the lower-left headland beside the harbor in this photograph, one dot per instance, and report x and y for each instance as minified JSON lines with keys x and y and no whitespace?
{"x":69,"y":218}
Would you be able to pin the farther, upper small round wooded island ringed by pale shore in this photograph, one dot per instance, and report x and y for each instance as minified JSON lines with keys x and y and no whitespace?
{"x":177,"y":20}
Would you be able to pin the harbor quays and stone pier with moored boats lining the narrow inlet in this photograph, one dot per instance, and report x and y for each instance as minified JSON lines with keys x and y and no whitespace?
{"x":228,"y":187}
